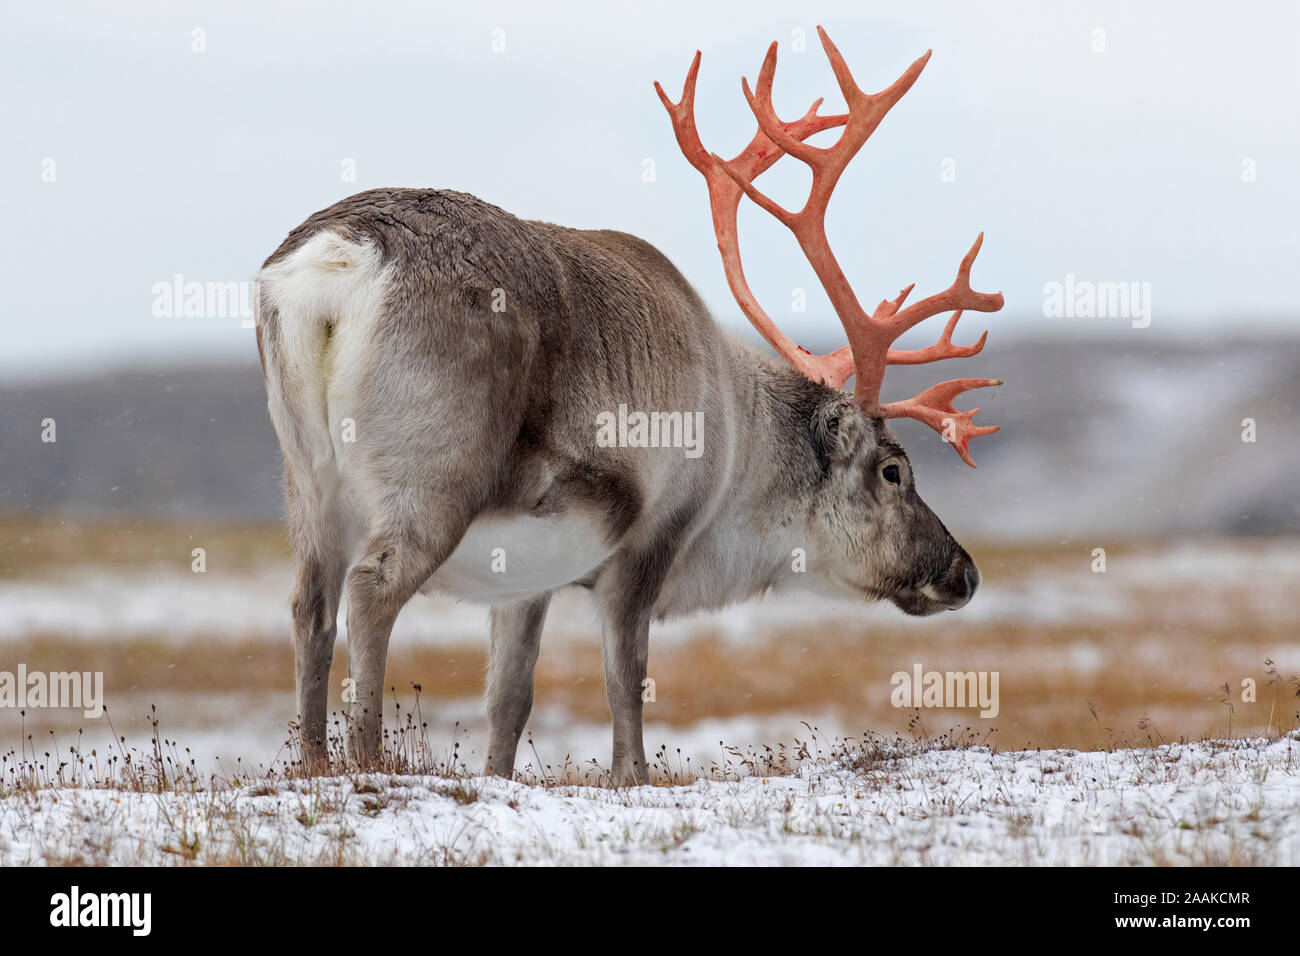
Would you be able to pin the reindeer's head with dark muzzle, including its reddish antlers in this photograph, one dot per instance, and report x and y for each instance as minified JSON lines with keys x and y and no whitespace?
{"x":876,"y":537}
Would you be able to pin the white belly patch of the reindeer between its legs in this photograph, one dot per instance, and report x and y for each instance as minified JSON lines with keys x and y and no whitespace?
{"x":508,"y":557}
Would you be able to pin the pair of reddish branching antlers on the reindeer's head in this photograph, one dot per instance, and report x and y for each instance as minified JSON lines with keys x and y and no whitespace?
{"x":870,"y":336}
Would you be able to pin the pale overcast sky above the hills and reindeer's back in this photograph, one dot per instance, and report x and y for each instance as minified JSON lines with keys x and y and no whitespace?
{"x":1108,"y":141}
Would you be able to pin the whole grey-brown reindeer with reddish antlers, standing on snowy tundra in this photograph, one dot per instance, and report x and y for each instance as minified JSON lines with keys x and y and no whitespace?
{"x":436,"y":373}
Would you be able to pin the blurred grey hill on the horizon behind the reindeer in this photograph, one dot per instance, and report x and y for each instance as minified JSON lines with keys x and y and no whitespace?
{"x":1119,"y":438}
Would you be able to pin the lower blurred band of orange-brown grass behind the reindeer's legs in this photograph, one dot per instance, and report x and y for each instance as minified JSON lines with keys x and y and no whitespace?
{"x":1149,"y":691}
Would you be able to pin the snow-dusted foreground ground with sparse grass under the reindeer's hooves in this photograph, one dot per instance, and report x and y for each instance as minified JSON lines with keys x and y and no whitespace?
{"x":1211,"y":803}
